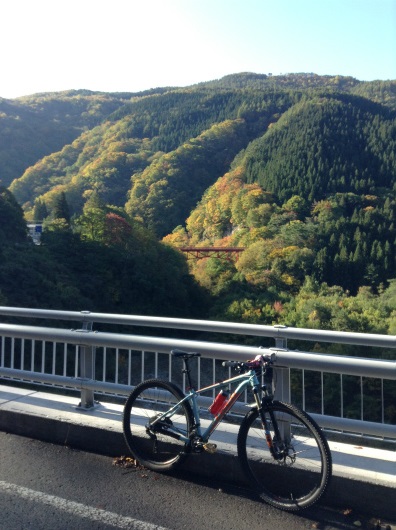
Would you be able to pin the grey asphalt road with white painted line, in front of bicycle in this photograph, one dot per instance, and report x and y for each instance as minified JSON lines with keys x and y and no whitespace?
{"x":52,"y":487}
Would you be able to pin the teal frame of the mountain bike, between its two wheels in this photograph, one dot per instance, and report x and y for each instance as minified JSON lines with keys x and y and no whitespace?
{"x":243,"y":381}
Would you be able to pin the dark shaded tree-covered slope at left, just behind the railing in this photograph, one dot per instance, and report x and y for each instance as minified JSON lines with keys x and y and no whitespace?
{"x":111,"y":265}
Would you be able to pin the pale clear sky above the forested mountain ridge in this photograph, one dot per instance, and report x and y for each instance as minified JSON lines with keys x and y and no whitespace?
{"x":135,"y":45}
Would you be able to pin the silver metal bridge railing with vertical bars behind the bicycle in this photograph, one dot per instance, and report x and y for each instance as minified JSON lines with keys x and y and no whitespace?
{"x":347,"y":394}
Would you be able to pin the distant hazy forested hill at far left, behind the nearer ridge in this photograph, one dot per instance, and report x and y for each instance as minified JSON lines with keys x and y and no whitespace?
{"x":35,"y":126}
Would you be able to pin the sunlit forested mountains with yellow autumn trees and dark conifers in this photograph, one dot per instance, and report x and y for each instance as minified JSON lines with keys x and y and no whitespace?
{"x":299,"y":170}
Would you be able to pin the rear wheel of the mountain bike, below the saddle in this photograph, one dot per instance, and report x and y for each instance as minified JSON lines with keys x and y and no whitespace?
{"x":155,"y":443}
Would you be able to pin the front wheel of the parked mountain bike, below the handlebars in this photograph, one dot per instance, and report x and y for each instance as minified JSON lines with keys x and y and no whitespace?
{"x":301,"y":474}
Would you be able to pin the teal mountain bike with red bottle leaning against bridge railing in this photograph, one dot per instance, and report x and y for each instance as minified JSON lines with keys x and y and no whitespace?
{"x":281,"y":449}
